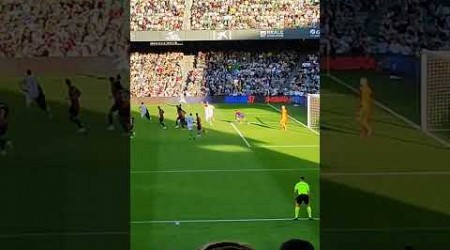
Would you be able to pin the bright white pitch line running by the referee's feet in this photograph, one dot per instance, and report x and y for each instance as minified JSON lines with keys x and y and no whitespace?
{"x":217,"y":221}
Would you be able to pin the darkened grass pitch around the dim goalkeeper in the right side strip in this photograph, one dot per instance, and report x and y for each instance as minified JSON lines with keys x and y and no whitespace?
{"x":386,"y":191}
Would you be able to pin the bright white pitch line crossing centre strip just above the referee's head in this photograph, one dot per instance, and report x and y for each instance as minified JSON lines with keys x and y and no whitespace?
{"x":224,"y":170}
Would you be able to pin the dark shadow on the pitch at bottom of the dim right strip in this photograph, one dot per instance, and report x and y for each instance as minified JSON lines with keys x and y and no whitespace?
{"x":353,"y":219}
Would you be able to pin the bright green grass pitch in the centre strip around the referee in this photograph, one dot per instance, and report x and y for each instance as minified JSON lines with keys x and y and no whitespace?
{"x":220,"y":186}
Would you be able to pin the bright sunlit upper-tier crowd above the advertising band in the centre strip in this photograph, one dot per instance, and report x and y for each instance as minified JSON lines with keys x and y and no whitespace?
{"x":165,"y":15}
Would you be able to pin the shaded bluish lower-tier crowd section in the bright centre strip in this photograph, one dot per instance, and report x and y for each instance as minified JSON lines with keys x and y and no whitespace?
{"x":250,"y":73}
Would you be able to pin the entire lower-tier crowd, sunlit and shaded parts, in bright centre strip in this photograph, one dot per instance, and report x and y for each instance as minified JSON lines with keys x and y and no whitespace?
{"x":225,"y":73}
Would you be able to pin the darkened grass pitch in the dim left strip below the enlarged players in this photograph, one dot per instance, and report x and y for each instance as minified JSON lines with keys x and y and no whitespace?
{"x":58,"y":186}
